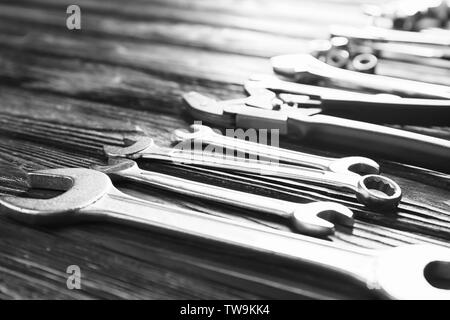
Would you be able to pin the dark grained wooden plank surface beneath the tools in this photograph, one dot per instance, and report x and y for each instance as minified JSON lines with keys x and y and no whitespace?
{"x":64,"y":94}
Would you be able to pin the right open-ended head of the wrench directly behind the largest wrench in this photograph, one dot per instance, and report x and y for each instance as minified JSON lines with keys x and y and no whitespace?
{"x":319,"y":218}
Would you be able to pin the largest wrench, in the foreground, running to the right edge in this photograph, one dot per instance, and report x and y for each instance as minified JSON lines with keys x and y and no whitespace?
{"x":401,"y":273}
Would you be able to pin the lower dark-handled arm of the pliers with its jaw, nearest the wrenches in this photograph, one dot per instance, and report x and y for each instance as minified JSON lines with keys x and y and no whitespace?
{"x":393,"y":144}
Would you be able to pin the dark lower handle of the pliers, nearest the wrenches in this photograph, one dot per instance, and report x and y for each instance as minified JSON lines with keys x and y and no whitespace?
{"x":377,"y":140}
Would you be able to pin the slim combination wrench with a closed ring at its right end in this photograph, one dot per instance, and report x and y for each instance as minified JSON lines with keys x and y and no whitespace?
{"x":374,"y":191}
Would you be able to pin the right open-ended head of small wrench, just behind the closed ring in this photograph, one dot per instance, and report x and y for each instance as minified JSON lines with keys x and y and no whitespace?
{"x":355,"y":165}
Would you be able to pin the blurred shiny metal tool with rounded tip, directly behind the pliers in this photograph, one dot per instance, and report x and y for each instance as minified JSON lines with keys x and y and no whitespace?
{"x":307,"y":69}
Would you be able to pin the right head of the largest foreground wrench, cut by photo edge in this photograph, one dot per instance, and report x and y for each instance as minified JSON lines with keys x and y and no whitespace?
{"x":407,"y":272}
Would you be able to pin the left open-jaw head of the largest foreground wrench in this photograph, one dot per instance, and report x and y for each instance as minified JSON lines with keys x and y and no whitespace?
{"x":82,"y":187}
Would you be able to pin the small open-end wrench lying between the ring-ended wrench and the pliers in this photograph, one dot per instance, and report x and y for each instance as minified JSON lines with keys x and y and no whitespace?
{"x":348,"y":165}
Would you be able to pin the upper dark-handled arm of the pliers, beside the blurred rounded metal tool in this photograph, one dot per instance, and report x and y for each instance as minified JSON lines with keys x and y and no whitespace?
{"x":331,"y":99}
